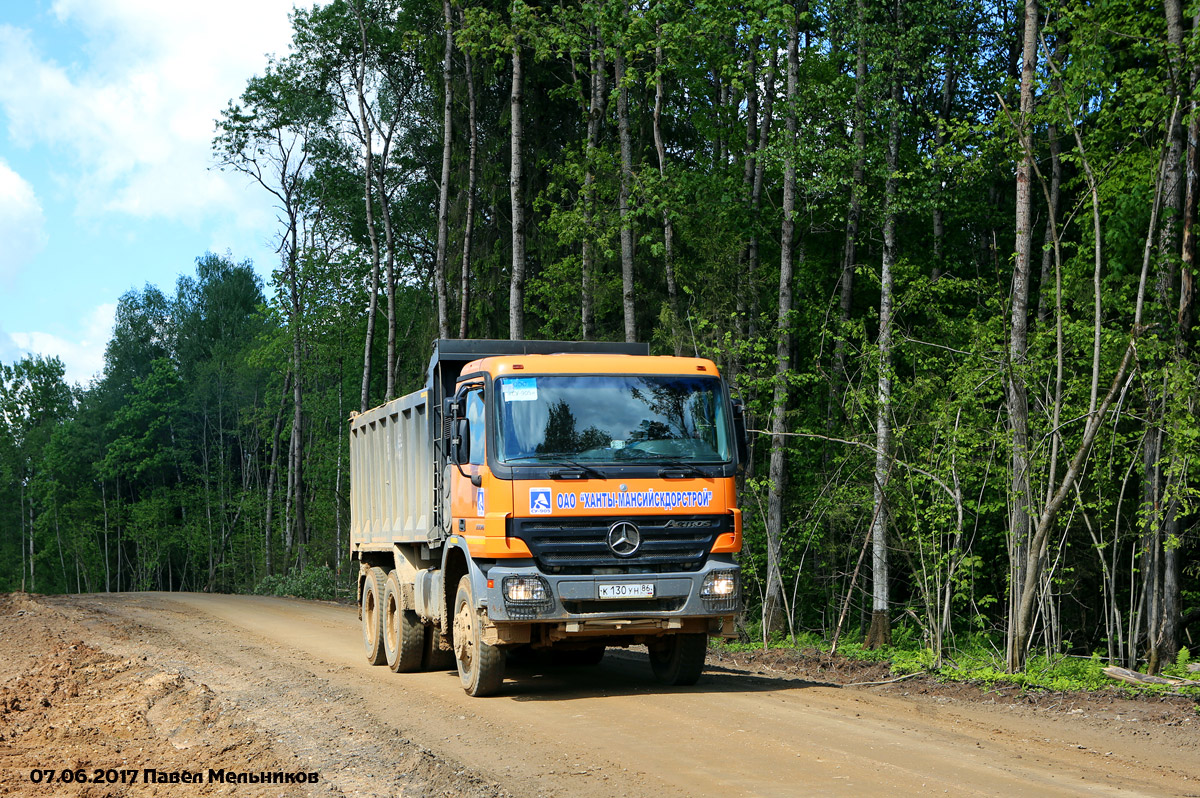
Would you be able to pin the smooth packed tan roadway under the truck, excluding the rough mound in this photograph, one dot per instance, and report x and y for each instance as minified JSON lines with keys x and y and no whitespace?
{"x":296,"y":671}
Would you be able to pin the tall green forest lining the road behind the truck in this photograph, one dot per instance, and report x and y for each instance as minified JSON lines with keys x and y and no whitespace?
{"x":945,"y":251}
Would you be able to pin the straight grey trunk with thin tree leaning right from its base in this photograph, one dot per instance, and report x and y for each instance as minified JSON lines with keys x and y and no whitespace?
{"x":1017,"y":395}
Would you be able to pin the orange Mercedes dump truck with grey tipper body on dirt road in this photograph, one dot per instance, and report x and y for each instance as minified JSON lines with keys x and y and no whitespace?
{"x":548,"y":499}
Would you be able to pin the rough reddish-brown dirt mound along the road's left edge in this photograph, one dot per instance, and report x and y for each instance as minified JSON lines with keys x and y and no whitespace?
{"x":75,"y":711}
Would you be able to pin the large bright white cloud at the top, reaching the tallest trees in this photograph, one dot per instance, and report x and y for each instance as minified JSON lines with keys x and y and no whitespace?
{"x":134,"y":111}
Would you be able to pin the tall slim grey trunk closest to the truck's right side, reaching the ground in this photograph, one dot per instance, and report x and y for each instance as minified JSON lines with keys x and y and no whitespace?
{"x":773,"y":614}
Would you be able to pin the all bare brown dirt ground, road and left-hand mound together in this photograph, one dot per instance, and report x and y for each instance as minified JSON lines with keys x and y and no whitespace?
{"x":195,"y":682}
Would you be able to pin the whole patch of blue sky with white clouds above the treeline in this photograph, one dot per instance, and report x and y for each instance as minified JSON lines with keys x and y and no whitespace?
{"x":107,"y":113}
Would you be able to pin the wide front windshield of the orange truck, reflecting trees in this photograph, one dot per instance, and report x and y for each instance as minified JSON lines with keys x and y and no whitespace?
{"x":611,"y":418}
